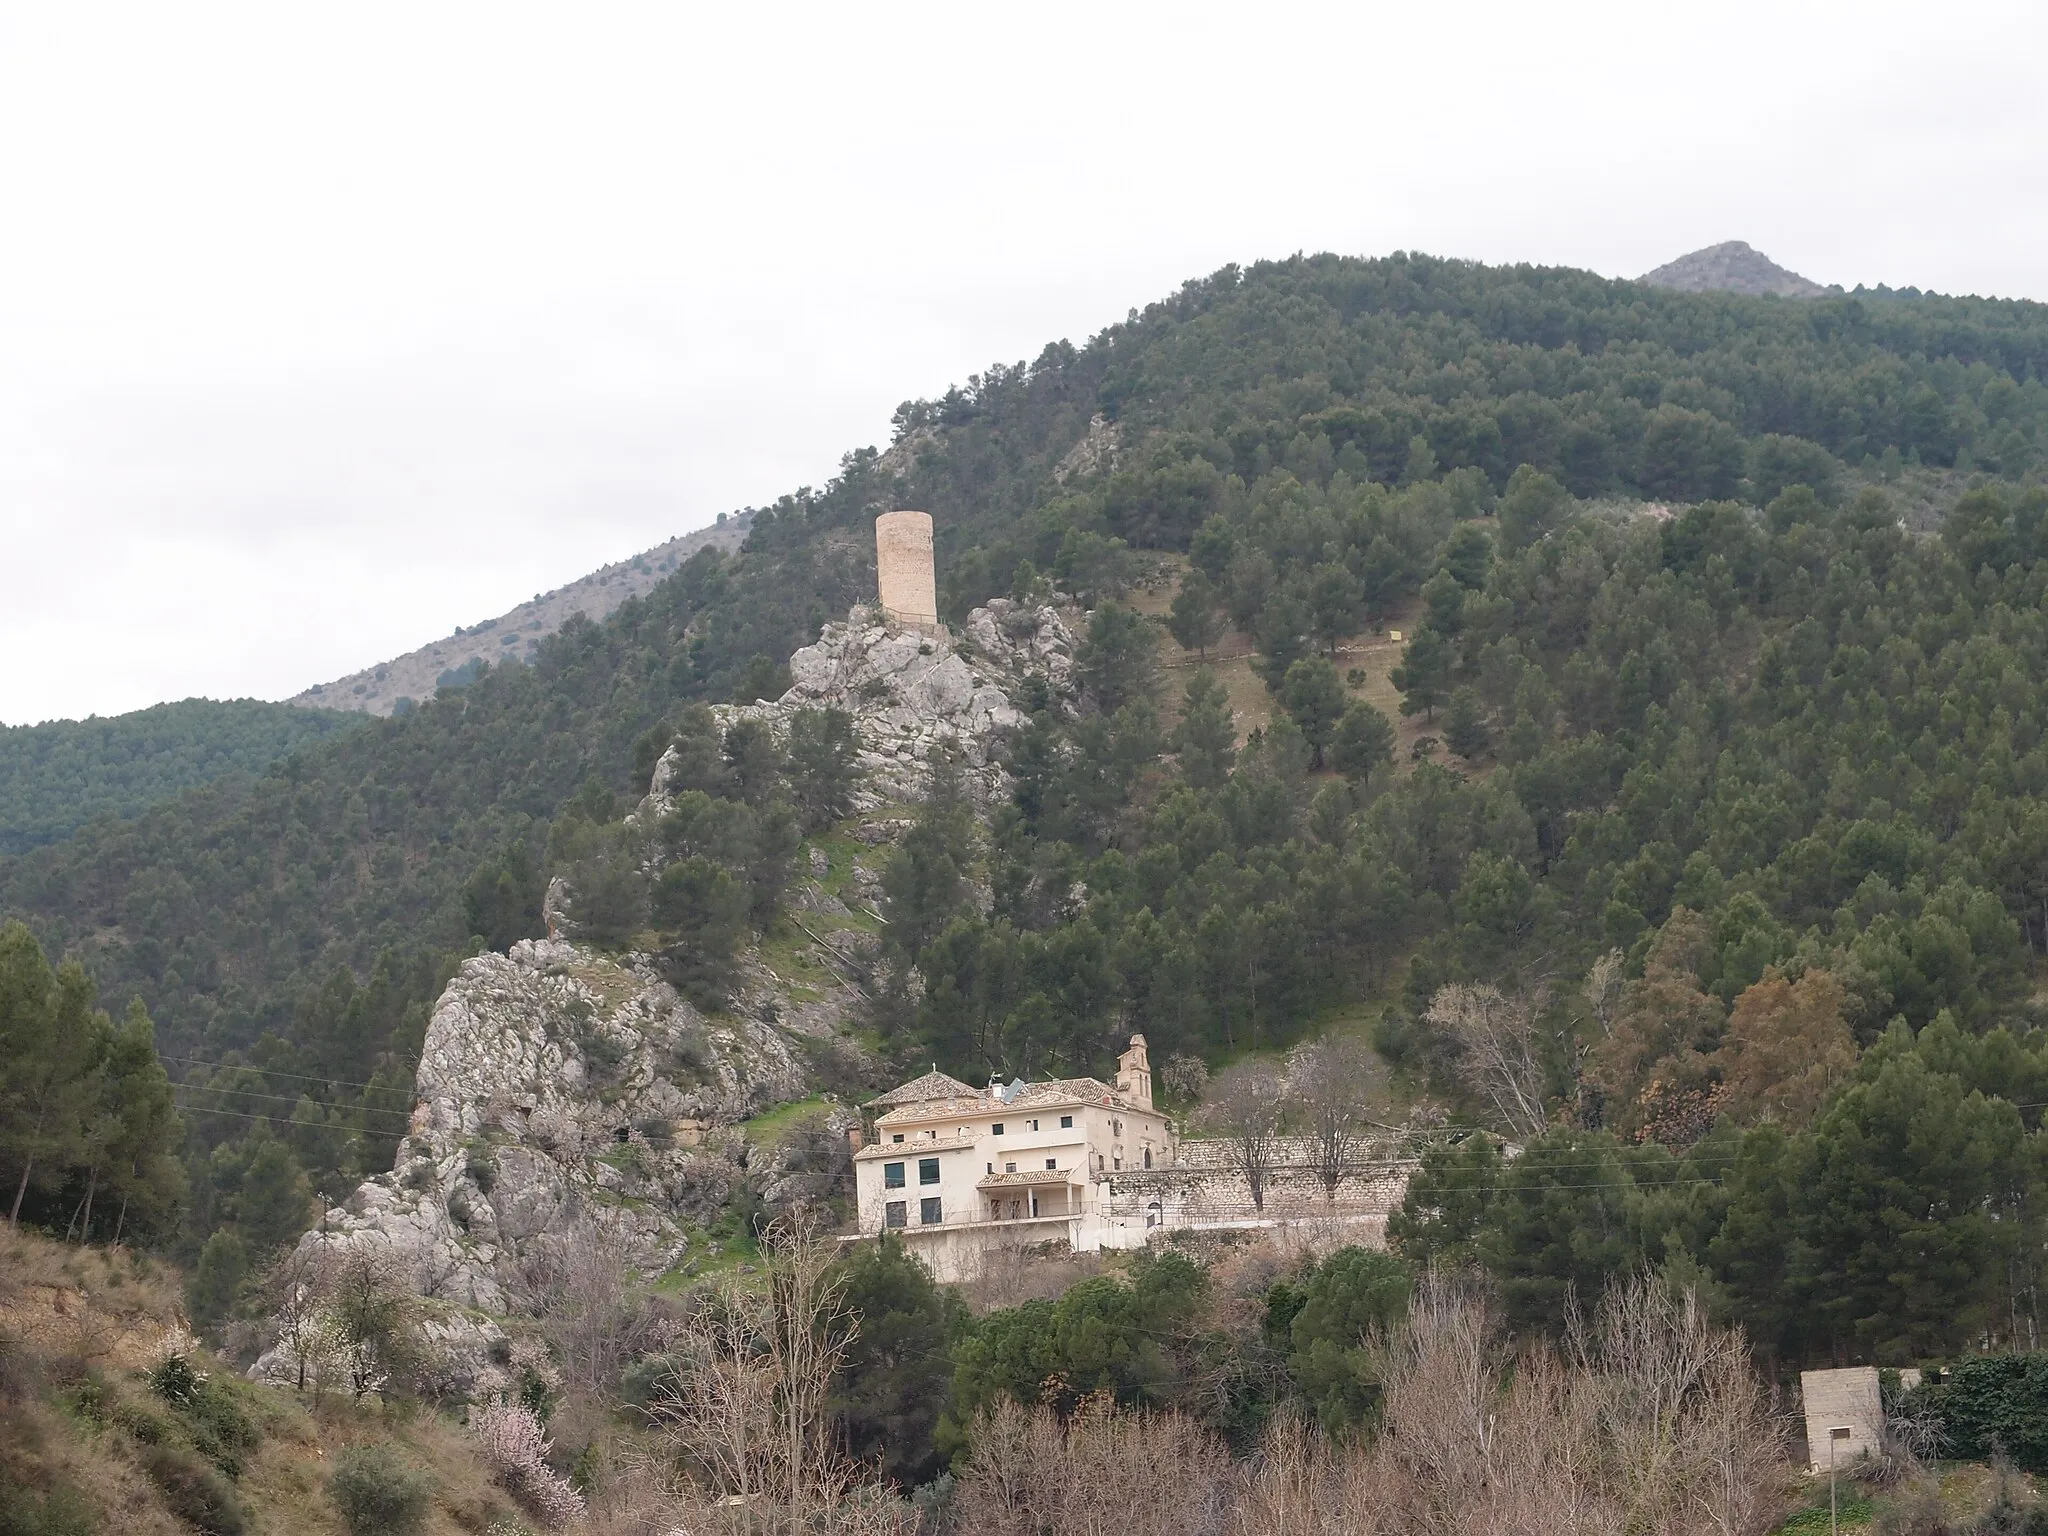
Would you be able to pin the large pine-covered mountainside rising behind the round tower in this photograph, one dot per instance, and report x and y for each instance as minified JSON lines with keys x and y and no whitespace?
{"x":1807,"y":736}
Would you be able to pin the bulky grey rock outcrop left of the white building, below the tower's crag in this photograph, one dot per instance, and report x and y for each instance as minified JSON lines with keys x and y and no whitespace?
{"x":556,"y":1080}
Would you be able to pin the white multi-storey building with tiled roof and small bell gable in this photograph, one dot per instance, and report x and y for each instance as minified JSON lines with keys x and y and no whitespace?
{"x":955,"y":1170}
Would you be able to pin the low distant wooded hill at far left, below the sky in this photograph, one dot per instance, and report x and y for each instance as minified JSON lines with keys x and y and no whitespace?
{"x":60,"y":775}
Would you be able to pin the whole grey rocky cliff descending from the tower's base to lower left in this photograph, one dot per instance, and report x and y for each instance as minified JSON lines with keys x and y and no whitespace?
{"x":560,"y":1084}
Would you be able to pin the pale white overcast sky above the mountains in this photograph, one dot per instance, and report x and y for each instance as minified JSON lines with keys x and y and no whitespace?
{"x":329,"y":329}
